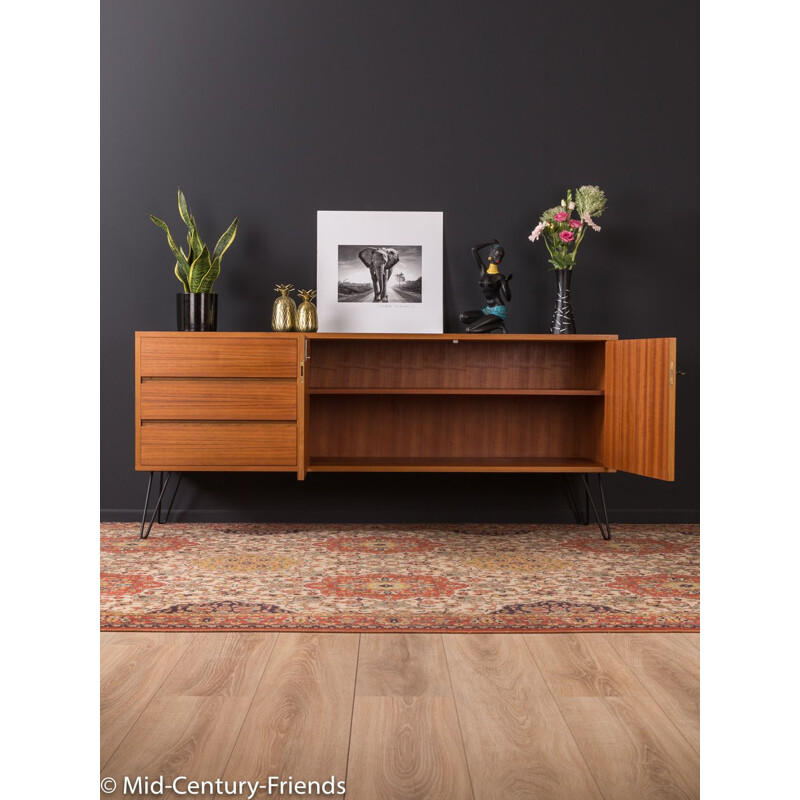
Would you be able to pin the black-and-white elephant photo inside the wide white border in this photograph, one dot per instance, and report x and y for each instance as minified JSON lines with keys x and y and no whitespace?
{"x":367,"y":274}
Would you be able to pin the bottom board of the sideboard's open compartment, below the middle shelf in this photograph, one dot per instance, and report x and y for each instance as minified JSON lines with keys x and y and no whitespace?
{"x":444,"y":464}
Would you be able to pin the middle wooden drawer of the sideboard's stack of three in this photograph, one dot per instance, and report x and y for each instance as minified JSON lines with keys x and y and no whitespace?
{"x":212,"y":399}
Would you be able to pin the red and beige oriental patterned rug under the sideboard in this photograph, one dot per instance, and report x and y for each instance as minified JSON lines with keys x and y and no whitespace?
{"x":400,"y":578}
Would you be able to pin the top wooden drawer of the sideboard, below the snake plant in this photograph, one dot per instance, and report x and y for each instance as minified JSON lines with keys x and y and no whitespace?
{"x":207,"y":356}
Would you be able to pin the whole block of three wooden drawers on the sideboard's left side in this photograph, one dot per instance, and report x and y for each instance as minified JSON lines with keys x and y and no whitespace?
{"x":207,"y":401}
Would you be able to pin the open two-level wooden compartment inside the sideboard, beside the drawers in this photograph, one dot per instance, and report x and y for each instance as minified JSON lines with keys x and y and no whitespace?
{"x":455,"y":405}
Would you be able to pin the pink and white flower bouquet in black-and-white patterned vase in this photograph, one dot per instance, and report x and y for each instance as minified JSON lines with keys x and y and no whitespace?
{"x":562,"y":234}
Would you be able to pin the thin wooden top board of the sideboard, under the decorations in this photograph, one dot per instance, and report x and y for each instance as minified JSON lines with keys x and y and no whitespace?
{"x":523,"y":337}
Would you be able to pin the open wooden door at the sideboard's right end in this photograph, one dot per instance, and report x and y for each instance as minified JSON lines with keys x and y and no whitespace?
{"x":640,"y":407}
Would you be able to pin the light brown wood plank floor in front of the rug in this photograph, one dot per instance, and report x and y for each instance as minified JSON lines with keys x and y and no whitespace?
{"x":406,"y":716}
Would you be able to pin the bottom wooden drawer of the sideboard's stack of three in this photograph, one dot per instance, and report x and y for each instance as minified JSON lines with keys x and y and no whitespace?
{"x":218,"y":444}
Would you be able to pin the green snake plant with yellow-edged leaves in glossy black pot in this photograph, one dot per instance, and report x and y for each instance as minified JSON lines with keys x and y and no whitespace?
{"x":197,"y":271}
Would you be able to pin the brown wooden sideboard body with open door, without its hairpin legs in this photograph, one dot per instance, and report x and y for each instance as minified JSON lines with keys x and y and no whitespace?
{"x":404,"y":403}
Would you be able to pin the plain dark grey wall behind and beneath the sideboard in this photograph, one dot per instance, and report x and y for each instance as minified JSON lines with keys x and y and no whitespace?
{"x":273,"y":109}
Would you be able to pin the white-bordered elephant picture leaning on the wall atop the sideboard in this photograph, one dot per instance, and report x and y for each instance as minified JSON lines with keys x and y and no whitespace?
{"x":379,"y":271}
